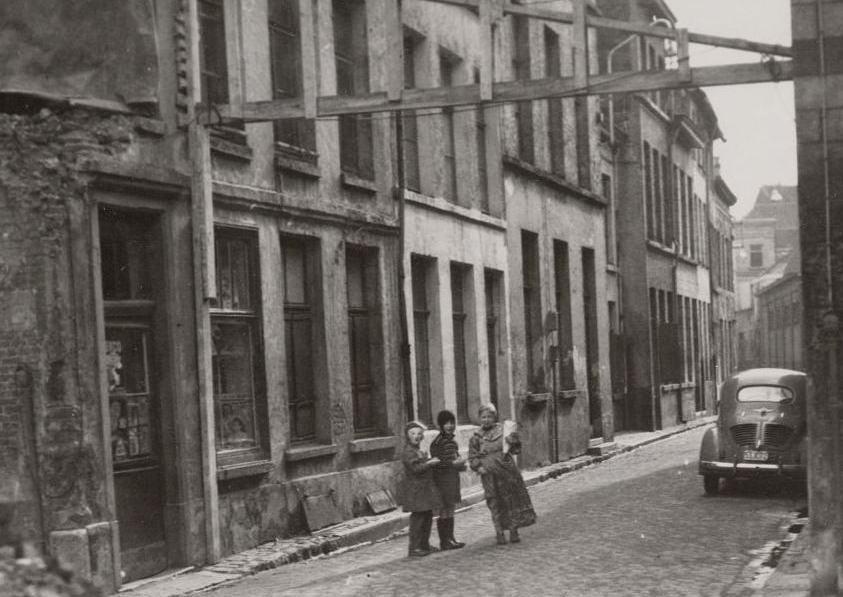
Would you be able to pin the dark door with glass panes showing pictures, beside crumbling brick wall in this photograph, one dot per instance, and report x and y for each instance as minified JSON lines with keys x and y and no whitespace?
{"x":130,"y":254}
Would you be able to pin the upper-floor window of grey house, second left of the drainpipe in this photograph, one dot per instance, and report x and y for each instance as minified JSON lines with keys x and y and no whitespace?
{"x":285,"y":58}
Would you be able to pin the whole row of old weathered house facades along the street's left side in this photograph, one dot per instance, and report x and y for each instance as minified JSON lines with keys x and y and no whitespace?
{"x":172,"y":402}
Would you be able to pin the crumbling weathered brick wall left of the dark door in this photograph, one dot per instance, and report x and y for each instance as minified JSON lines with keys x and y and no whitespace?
{"x":51,"y":451}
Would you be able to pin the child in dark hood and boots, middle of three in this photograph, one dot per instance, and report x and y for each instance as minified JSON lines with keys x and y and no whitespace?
{"x":446,"y":475}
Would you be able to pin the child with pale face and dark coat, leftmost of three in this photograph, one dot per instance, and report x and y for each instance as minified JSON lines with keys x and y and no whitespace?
{"x":420,"y":496}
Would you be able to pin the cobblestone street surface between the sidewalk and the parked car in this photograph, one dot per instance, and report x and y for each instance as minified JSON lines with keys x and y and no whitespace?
{"x":637,"y":524}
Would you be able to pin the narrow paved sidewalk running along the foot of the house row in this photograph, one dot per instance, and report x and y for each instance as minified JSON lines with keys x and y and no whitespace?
{"x":359,"y":530}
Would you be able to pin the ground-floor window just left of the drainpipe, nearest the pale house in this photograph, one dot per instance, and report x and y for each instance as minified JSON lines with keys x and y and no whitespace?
{"x":365,"y":337}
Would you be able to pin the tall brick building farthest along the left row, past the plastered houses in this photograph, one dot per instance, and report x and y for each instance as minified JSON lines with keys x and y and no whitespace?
{"x":663,"y":145}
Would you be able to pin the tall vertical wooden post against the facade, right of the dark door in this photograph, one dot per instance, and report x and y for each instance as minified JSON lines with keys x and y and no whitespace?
{"x":204,"y":279}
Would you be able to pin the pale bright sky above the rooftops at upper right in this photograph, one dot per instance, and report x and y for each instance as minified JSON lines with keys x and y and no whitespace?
{"x":758,"y":120}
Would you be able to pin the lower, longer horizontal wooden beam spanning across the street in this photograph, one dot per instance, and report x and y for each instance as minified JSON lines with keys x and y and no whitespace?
{"x":513,"y":91}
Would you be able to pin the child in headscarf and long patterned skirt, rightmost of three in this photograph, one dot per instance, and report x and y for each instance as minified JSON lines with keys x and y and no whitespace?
{"x":504,"y":488}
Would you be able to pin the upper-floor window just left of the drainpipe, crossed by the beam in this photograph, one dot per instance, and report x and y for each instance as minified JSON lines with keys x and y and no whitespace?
{"x":352,"y":64}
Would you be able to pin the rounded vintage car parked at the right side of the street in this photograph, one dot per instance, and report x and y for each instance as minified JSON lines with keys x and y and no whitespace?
{"x":760,"y":429}
